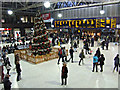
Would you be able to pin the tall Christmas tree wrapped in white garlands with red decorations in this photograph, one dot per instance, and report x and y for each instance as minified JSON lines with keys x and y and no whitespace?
{"x":41,"y":45}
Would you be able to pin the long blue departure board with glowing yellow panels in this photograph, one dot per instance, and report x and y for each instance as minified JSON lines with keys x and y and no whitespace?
{"x":88,"y":23}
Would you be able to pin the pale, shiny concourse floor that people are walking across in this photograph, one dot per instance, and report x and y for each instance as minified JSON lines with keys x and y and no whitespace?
{"x":48,"y":74}
